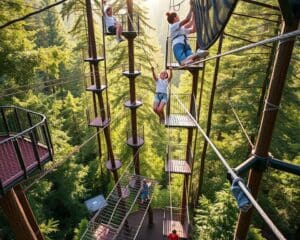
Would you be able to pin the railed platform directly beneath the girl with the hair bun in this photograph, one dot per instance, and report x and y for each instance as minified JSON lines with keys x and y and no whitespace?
{"x":170,"y":60}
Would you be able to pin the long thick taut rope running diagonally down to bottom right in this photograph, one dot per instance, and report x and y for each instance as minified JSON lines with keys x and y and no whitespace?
{"x":234,"y":176}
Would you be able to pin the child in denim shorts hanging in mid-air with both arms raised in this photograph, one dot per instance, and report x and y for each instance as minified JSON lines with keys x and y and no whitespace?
{"x":161,"y":92}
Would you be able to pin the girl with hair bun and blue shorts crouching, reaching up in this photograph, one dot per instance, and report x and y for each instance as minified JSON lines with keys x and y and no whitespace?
{"x":179,"y":31}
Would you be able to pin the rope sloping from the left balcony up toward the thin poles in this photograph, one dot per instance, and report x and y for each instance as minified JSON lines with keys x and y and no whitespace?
{"x":75,"y":150}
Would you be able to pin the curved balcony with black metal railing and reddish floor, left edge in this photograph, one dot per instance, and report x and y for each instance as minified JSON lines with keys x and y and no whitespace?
{"x":25,"y":145}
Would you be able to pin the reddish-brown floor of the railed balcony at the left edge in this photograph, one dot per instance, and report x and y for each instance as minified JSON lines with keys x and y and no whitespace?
{"x":11,"y":171}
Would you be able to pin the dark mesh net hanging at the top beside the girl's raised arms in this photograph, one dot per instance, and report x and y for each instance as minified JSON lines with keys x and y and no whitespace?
{"x":211,"y":17}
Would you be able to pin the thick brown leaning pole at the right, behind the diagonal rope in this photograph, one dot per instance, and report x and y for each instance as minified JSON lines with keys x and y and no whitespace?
{"x":262,"y":146}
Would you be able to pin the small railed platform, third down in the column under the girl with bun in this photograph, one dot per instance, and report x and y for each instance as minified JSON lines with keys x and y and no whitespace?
{"x":178,"y":160}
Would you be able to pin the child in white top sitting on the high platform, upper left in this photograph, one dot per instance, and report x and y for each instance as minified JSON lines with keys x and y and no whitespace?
{"x":112,"y":25}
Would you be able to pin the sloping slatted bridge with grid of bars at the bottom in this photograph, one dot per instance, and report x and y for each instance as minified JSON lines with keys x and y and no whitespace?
{"x":111,"y":221}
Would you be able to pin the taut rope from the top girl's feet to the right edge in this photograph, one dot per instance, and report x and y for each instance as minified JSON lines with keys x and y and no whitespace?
{"x":285,"y":36}
